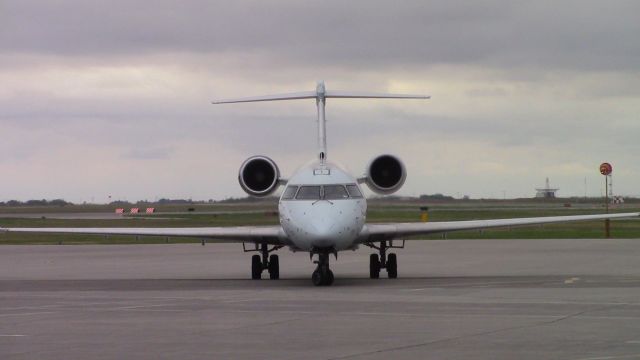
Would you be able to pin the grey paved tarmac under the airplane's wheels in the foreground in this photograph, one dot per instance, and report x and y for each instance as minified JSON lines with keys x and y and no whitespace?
{"x":478,"y":299}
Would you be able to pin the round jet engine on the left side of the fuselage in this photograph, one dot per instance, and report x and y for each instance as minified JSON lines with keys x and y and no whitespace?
{"x":259,"y":176}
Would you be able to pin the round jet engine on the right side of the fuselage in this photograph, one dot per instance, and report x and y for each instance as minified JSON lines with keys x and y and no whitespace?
{"x":385,"y":174}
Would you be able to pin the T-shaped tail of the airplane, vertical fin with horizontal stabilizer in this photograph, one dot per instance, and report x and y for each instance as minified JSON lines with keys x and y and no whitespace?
{"x":321,"y":95}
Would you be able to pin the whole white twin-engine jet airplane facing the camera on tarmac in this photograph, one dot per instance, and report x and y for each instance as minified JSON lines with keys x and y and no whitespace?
{"x":322,"y":209}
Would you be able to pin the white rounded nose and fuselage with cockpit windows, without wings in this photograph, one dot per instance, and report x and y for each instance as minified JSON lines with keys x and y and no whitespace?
{"x":322,"y":207}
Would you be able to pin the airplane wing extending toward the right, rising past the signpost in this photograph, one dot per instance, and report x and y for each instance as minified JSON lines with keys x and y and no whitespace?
{"x":382,"y":232}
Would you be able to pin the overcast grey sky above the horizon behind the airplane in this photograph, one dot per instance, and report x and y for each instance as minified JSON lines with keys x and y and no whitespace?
{"x":101,"y":98}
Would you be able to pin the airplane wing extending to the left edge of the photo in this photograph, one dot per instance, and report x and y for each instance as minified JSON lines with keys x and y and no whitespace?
{"x":257,"y":234}
